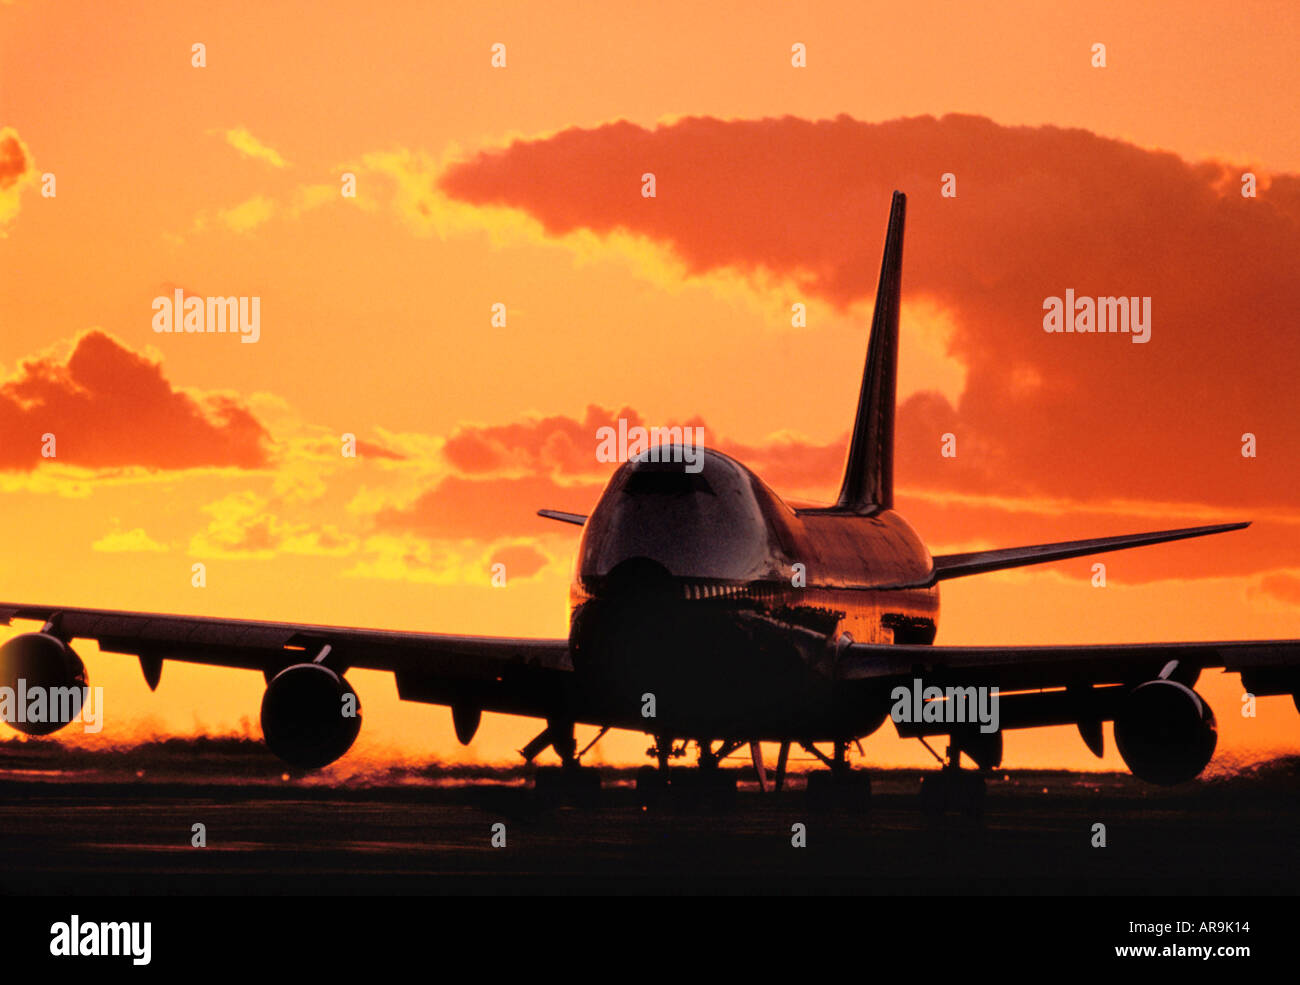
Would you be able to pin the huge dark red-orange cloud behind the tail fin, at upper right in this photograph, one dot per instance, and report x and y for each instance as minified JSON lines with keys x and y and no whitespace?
{"x":1039,"y":211}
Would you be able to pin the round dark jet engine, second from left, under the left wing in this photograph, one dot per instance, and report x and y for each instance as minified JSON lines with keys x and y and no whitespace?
{"x":310,"y":715}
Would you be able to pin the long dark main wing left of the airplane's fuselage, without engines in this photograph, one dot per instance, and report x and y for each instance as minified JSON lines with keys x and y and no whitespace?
{"x":513,"y":676}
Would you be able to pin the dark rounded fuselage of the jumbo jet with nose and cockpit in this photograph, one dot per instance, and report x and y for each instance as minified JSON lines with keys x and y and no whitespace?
{"x":701,"y":604}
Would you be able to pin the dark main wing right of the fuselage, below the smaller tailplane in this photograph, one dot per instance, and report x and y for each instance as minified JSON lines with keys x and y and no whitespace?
{"x":1272,"y":663}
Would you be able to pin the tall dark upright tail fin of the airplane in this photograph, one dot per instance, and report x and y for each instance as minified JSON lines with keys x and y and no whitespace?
{"x":869,"y":471}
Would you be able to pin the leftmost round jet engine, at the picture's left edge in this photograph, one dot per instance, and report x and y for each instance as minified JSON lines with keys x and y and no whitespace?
{"x":45,"y":682}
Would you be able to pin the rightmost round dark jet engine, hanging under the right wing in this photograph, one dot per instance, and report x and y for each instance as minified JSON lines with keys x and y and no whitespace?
{"x":1165,"y":732}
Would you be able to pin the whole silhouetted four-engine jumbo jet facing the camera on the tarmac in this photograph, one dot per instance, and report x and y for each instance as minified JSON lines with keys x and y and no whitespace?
{"x":707,"y":610}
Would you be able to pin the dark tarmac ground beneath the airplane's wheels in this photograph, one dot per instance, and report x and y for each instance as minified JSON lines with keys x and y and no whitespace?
{"x":114,"y":831}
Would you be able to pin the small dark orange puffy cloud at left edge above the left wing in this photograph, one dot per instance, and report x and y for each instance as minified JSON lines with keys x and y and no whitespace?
{"x":110,"y":407}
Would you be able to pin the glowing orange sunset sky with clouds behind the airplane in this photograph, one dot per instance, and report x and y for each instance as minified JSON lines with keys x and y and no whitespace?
{"x":522,"y":186}
